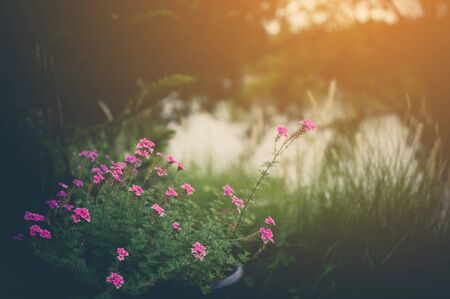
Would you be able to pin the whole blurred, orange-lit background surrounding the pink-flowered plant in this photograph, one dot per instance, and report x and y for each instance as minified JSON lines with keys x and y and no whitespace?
{"x":362,"y":203}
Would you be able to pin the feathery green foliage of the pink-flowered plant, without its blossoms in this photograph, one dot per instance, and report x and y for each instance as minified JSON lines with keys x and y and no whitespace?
{"x":157,"y":253}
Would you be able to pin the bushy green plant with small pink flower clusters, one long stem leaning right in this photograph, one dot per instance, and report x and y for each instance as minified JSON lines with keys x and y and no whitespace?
{"x":131,"y":224}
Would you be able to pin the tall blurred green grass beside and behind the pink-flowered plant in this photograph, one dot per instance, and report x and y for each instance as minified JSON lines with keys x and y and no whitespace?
{"x":360,"y":212}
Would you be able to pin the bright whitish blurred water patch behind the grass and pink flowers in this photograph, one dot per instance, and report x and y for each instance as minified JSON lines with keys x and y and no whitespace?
{"x":226,"y":138}
